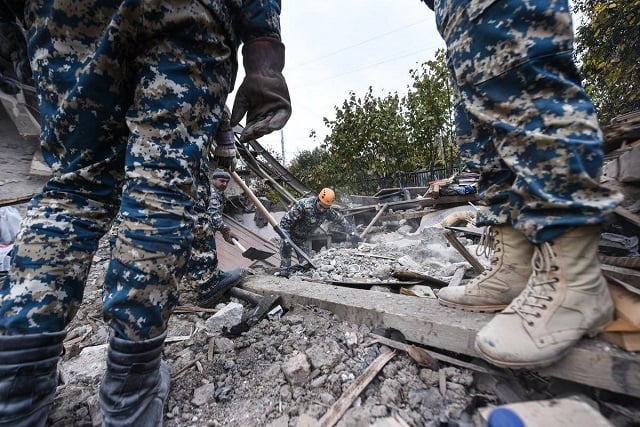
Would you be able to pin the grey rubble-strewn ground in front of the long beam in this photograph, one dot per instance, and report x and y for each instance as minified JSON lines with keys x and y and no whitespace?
{"x":241,"y":381}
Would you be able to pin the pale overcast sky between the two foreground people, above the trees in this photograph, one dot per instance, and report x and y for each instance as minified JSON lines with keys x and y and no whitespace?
{"x":335,"y":46}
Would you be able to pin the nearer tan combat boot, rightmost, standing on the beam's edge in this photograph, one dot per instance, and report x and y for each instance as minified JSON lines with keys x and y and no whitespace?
{"x":567,"y":297}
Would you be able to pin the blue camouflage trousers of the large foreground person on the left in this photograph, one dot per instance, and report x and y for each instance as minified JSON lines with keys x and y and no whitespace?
{"x":129,"y":96}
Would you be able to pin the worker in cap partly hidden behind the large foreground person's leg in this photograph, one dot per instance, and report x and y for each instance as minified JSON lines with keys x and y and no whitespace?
{"x":202,"y":269}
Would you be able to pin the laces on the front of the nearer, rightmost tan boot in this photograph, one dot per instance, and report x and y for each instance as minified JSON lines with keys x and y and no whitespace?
{"x":541,"y":284}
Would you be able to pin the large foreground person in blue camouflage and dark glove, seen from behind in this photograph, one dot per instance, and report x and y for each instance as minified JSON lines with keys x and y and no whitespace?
{"x":129,"y":93}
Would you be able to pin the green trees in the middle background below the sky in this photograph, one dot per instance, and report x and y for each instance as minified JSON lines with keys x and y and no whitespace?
{"x":375,"y":137}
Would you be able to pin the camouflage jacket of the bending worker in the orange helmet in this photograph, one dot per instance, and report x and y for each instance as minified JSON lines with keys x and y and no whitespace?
{"x":304,"y":217}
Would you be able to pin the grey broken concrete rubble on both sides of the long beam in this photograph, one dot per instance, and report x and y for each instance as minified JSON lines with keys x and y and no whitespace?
{"x":283,"y":372}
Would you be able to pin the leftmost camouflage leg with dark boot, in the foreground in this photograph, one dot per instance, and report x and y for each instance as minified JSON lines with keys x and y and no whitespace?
{"x":60,"y":232}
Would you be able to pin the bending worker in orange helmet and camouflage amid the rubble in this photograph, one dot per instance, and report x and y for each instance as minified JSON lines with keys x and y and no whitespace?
{"x":304,"y":217}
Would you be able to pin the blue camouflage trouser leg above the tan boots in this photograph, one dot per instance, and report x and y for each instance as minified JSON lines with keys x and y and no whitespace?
{"x":522,"y":119}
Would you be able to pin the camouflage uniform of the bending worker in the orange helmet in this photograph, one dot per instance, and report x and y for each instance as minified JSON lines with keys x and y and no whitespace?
{"x":301,"y":221}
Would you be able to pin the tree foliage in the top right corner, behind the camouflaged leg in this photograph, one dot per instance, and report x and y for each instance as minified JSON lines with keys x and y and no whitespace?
{"x":608,"y":49}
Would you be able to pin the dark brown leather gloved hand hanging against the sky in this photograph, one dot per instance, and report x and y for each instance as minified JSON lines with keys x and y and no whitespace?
{"x":263,"y":95}
